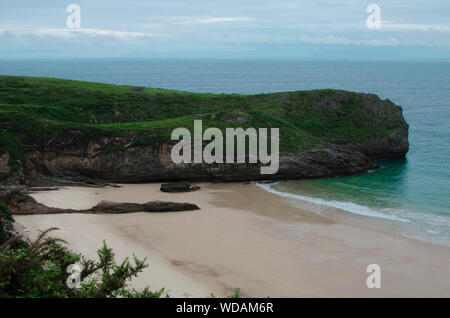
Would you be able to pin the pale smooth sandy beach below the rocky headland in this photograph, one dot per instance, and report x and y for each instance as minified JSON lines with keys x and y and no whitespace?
{"x":244,"y":237}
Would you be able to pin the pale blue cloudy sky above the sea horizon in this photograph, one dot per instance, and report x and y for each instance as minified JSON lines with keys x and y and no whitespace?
{"x":333,"y":29}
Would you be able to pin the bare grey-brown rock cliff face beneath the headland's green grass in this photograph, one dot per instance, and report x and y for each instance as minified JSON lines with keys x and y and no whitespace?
{"x":77,"y":157}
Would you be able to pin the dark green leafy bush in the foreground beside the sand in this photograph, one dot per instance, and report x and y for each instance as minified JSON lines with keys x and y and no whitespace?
{"x":39,"y":269}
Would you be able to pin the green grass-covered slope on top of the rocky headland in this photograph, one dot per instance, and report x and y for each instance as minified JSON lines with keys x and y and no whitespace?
{"x":307,"y":119}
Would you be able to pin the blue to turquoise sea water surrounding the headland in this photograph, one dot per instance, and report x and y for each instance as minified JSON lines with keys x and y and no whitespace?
{"x":416,"y":189}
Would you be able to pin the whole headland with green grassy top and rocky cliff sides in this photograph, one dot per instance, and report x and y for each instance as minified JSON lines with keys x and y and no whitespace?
{"x":85,"y":131}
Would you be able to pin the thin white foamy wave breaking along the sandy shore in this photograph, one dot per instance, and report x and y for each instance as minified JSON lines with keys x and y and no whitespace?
{"x":345,"y":206}
